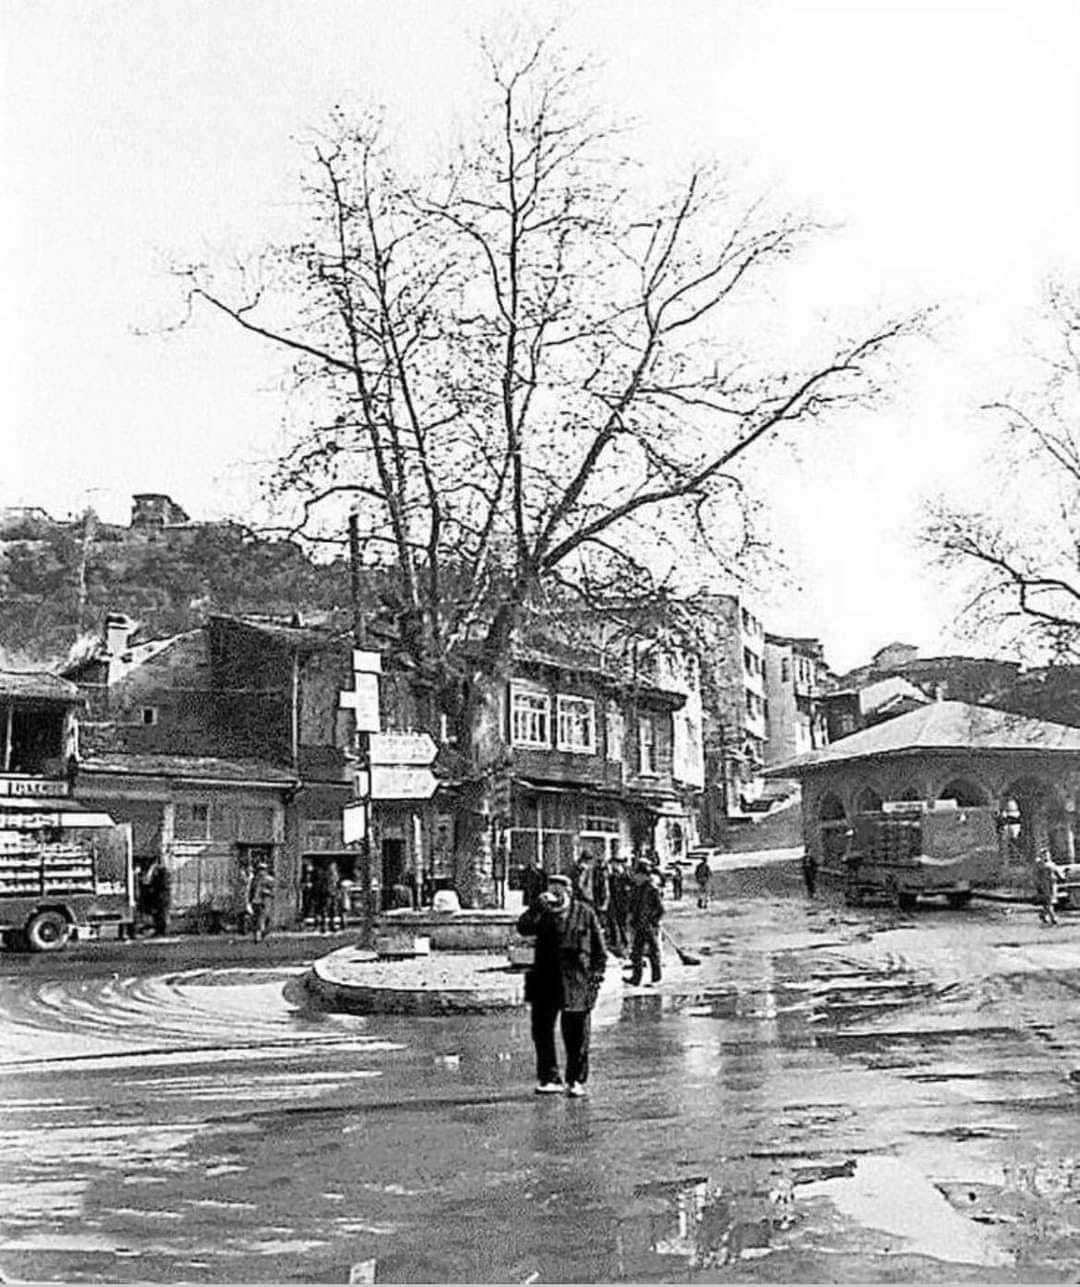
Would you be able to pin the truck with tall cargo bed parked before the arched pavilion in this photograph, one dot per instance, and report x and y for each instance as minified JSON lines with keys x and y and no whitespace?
{"x":911,"y":851}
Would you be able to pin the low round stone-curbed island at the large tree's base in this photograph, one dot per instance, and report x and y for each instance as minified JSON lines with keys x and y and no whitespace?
{"x":443,"y":984}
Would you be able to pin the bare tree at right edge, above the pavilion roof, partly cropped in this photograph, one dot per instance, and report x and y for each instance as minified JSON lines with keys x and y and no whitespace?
{"x":1021,"y":564}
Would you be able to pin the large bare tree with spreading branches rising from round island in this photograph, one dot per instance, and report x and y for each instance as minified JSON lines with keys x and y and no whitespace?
{"x":526,"y":378}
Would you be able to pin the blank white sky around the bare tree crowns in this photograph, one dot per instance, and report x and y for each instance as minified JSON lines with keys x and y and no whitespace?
{"x":944,"y":137}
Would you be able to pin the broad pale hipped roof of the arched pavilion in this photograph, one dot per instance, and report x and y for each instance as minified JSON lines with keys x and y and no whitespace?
{"x":942,"y":727}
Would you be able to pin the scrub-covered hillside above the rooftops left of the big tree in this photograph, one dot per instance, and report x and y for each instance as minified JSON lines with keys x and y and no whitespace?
{"x":60,"y":580}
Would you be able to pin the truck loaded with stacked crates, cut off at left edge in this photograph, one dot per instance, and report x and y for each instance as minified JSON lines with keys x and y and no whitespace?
{"x":65,"y":872}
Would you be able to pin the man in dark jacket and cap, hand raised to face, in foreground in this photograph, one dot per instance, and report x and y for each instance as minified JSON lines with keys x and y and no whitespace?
{"x":564,"y":981}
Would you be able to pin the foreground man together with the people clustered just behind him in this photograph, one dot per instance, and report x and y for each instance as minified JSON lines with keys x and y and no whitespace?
{"x":576,"y":921}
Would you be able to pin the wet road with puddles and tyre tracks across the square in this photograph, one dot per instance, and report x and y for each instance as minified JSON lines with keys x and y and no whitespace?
{"x":831,"y":1096}
